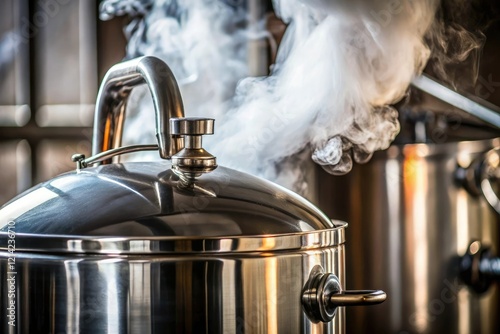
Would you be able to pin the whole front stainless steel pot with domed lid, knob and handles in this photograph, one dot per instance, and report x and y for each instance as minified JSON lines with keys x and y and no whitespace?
{"x":181,"y":245}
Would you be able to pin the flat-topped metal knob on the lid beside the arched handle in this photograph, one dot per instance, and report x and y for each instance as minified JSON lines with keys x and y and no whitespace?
{"x":193,"y":160}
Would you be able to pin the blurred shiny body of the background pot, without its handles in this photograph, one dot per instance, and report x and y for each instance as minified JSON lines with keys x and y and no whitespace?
{"x":411,"y":221}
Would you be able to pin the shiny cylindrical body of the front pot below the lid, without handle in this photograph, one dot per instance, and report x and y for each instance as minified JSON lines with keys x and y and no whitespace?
{"x":253,"y":293}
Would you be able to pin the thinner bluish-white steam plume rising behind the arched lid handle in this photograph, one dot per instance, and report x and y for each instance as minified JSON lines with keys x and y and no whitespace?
{"x":203,"y":42}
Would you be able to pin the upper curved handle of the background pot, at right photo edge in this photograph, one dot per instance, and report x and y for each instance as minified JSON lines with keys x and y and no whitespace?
{"x":490,"y":172}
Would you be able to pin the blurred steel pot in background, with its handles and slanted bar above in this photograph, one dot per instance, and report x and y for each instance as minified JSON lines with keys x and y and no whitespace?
{"x":432,"y":241}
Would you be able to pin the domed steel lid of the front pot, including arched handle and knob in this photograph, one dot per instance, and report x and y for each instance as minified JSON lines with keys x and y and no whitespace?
{"x":184,"y":204}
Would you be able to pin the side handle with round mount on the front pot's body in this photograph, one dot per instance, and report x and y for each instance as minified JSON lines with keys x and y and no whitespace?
{"x":323,"y":294}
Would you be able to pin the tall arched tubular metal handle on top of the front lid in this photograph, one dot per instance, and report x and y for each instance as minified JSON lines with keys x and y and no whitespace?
{"x":114,"y":93}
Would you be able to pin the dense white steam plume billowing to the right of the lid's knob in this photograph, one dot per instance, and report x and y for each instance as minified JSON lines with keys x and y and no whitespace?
{"x":340,"y":66}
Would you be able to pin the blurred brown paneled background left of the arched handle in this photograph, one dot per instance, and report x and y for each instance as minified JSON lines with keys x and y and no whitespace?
{"x":52,"y":57}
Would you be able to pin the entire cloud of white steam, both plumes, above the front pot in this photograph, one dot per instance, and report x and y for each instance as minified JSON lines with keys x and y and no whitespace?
{"x":340,"y":66}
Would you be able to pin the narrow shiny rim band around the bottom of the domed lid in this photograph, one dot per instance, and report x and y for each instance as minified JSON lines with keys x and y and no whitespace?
{"x":177,"y":245}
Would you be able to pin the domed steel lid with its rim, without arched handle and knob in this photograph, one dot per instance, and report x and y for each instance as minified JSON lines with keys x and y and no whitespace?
{"x":147,"y":208}
